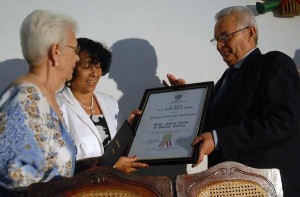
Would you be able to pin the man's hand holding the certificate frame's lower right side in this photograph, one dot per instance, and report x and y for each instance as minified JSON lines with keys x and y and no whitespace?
{"x":207,"y":145}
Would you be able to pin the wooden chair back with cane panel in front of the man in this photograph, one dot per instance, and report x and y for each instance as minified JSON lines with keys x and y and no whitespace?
{"x":230,"y":179}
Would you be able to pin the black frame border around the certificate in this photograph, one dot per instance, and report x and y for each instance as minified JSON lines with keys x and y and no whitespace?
{"x":182,"y":160}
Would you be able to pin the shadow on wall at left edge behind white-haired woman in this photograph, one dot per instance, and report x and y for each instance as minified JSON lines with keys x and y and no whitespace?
{"x":10,"y":70}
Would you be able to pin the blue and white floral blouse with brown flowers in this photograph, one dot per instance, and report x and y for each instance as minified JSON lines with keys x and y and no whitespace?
{"x":34,"y":144}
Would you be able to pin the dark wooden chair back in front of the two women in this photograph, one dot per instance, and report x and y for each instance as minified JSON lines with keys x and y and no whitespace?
{"x":104,"y":182}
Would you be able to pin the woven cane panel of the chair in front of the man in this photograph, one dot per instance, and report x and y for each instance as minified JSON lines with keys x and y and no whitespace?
{"x":234,"y":188}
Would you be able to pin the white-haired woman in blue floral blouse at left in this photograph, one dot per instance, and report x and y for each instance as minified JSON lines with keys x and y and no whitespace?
{"x":35,"y":145}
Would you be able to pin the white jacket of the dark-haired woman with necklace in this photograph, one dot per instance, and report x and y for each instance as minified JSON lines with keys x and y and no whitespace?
{"x":85,"y":134}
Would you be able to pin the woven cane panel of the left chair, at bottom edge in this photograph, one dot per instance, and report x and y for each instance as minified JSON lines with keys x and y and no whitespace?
{"x":106,"y":193}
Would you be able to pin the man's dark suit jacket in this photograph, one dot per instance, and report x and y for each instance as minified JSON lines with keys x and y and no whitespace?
{"x":258,"y":121}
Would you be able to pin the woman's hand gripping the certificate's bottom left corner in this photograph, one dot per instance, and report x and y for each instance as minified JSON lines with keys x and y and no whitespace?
{"x":129,"y":164}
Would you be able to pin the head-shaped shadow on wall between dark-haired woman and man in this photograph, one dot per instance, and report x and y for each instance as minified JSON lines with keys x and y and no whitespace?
{"x":133,"y":68}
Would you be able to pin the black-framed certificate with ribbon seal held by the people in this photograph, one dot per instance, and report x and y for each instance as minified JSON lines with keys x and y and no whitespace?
{"x":171,"y":119}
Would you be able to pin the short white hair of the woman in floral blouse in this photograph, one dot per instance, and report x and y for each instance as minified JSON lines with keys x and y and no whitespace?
{"x":40,"y":30}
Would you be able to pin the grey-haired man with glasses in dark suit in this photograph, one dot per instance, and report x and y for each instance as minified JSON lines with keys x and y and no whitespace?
{"x":254,"y":114}
